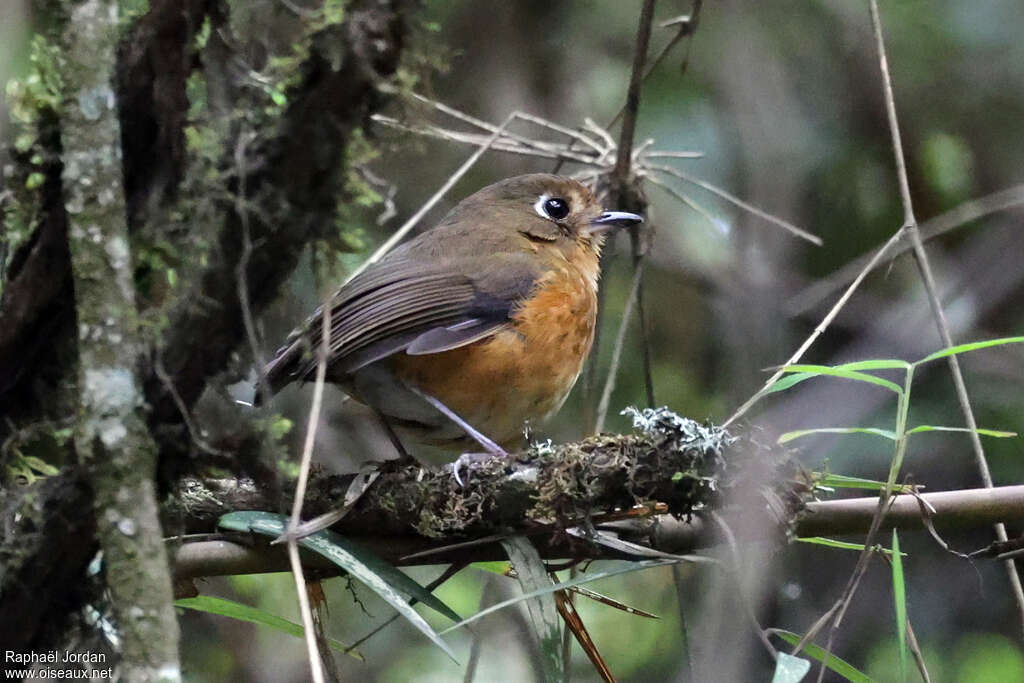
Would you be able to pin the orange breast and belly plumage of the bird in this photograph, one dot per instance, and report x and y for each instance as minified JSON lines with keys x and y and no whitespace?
{"x":524,"y":372}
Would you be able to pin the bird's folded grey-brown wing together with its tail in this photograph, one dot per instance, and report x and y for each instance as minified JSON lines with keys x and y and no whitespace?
{"x":410,"y":304}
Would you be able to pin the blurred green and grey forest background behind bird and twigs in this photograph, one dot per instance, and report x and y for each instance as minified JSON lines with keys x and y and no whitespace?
{"x":785,"y":102}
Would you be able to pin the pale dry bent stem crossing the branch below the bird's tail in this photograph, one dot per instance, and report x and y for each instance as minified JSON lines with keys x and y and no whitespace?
{"x":316,"y":665}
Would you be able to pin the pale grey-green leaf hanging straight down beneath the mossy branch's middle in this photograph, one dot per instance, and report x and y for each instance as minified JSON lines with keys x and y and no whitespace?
{"x":533,"y":576}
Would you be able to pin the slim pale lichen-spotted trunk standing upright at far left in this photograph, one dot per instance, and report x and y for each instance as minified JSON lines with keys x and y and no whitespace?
{"x":111,"y":434}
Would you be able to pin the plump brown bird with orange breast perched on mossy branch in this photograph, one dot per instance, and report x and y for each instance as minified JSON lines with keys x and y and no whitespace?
{"x":475,"y":327}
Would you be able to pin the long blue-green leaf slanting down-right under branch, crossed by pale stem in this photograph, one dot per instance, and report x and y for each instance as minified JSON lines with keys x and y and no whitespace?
{"x":391,"y":584}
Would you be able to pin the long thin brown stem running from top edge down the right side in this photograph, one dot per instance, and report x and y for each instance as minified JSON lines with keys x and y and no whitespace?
{"x":911,"y":225}
